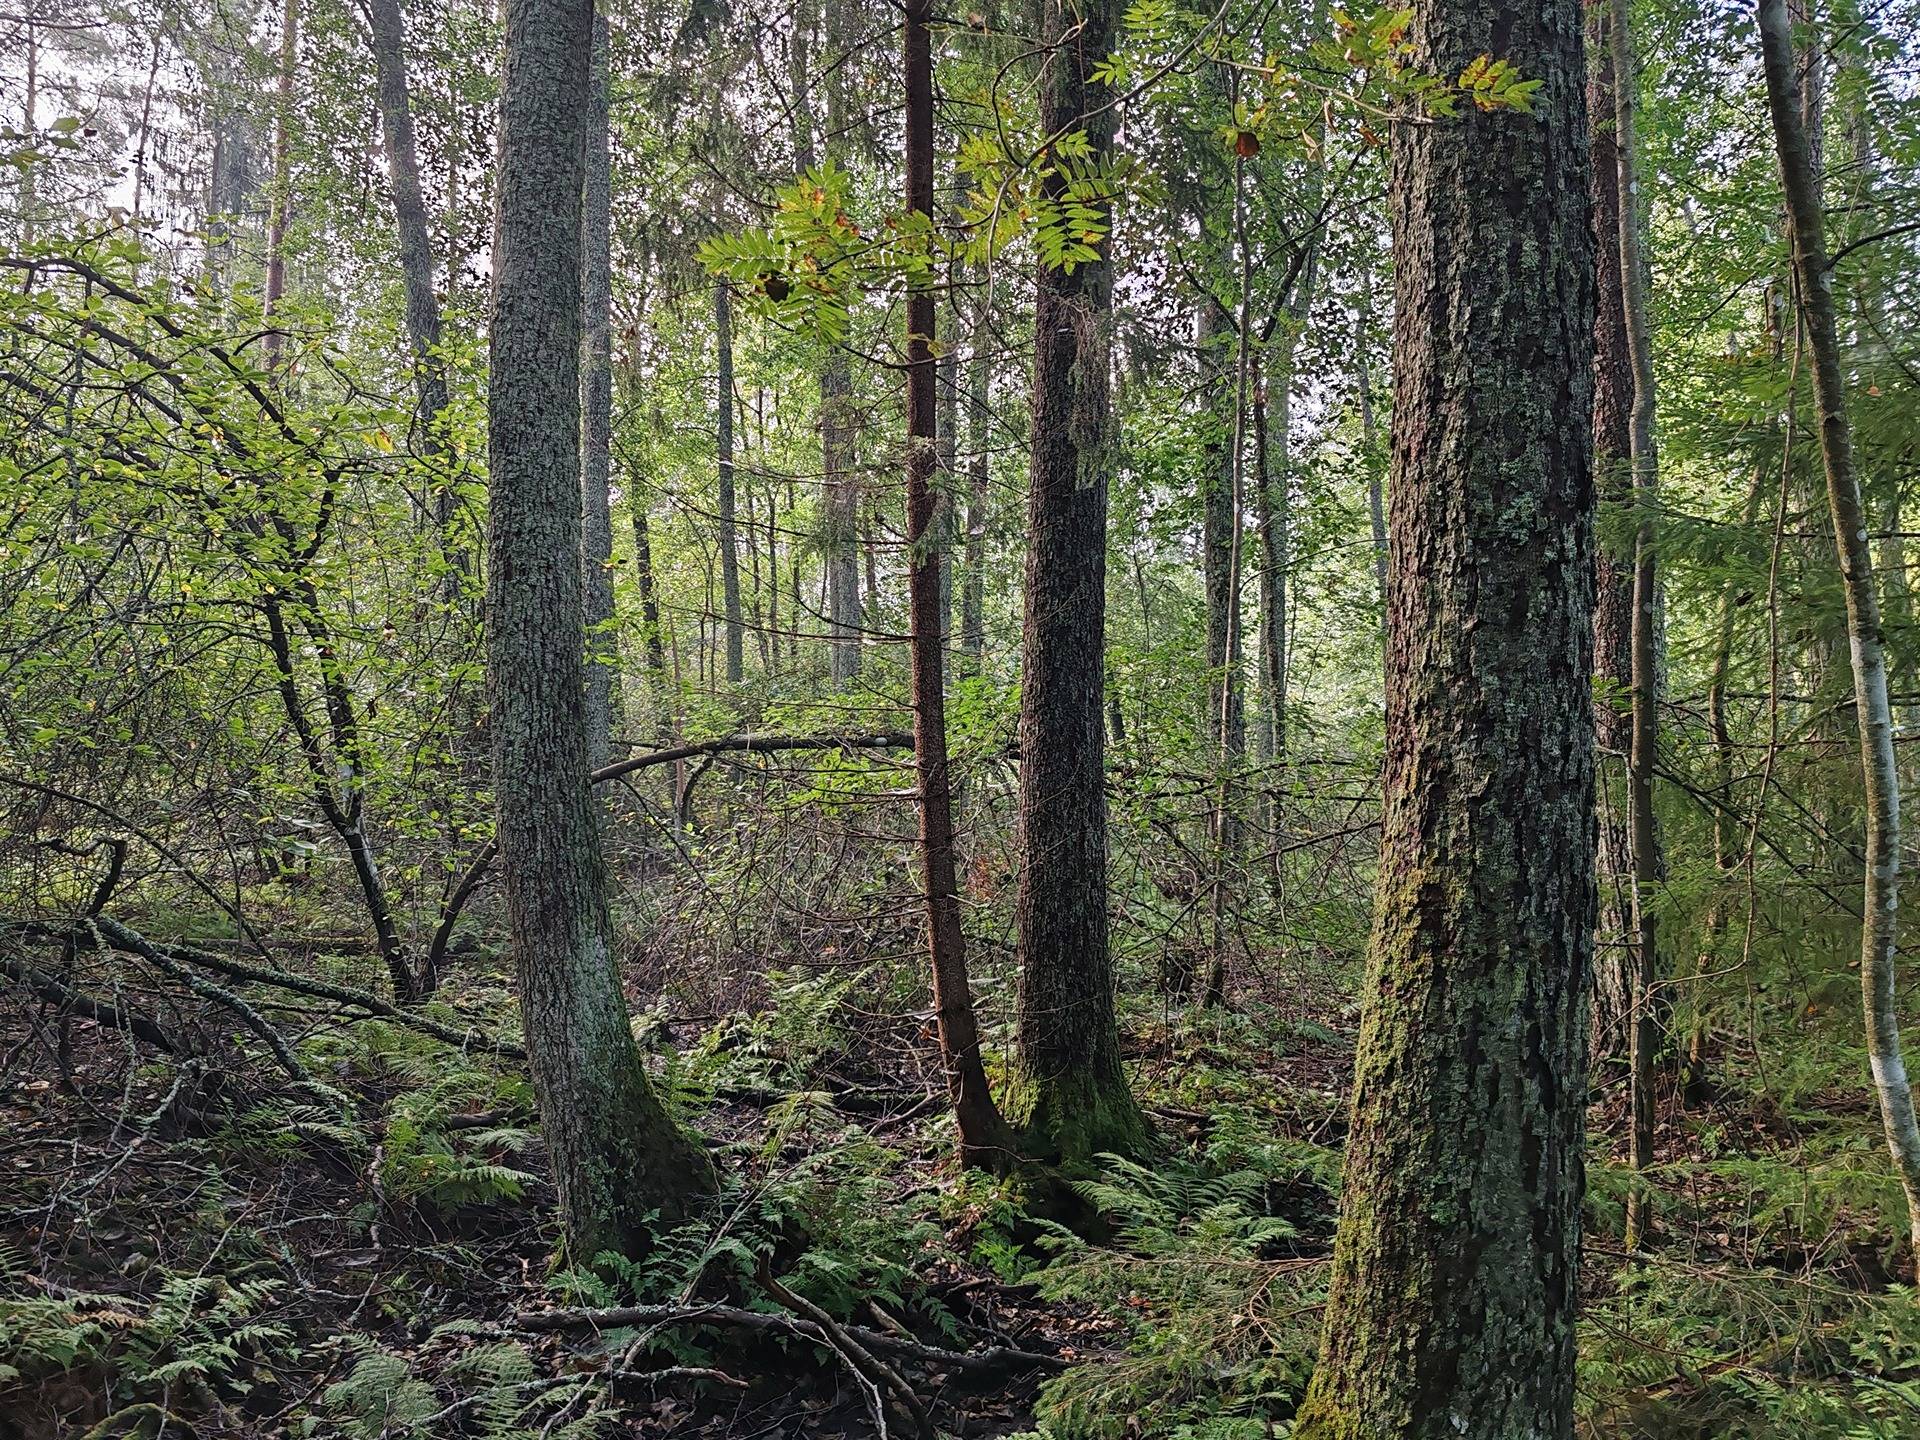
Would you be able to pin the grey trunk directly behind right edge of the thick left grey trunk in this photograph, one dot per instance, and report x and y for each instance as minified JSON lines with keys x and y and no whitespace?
{"x":596,"y":408}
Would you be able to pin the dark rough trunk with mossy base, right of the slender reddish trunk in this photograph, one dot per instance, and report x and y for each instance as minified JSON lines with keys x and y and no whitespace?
{"x":1070,"y":1088}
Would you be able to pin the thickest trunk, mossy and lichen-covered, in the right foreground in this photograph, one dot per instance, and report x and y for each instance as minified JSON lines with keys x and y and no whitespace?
{"x":1456,"y":1268}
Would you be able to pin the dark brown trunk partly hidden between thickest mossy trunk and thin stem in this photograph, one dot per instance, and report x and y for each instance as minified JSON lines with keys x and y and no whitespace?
{"x":1614,"y":565}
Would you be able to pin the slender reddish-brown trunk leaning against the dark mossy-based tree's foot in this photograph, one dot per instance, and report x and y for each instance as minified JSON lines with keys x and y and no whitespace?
{"x":986,"y":1138}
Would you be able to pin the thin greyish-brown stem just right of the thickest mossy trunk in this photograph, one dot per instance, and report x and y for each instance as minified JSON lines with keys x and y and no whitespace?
{"x":1644,"y":456}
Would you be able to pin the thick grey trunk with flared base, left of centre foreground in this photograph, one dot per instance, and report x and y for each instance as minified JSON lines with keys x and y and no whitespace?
{"x":615,"y":1153}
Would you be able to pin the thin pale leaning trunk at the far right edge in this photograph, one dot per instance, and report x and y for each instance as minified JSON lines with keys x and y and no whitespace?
{"x":1881,"y":901}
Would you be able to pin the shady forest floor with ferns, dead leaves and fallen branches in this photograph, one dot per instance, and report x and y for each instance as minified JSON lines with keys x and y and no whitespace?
{"x":235,"y":1257}
